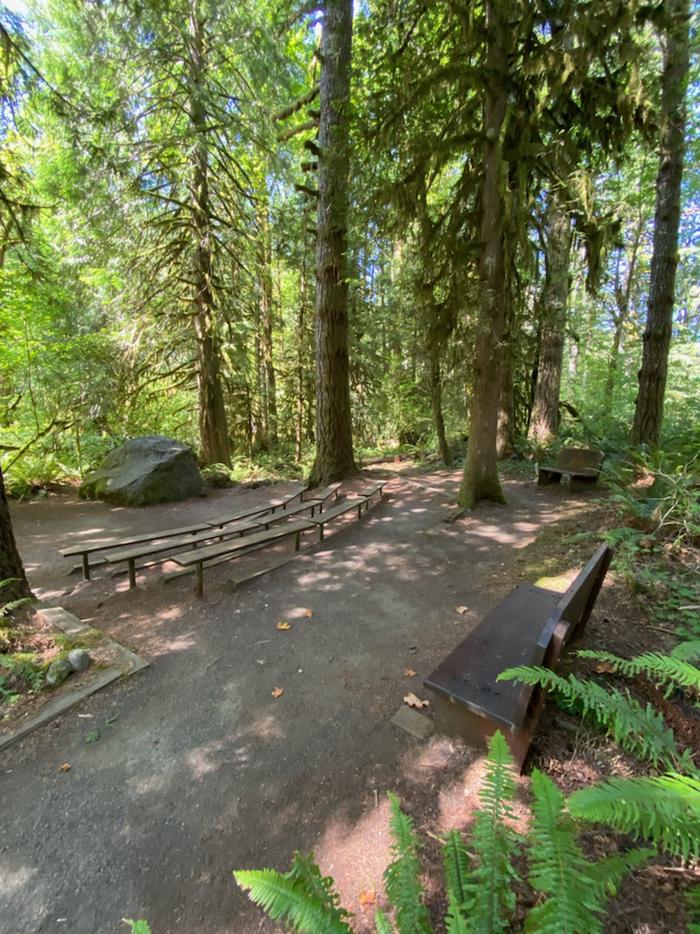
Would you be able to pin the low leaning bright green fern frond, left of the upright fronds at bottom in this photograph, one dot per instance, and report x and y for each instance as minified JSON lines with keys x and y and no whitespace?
{"x":302,"y":897}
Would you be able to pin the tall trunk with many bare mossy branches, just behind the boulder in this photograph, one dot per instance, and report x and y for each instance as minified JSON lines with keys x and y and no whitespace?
{"x":213,"y":426}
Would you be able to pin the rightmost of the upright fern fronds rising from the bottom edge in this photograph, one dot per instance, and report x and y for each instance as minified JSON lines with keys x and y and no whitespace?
{"x":558,"y":868}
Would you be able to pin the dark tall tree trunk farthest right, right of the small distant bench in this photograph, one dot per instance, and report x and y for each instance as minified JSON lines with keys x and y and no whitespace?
{"x":649,"y":409}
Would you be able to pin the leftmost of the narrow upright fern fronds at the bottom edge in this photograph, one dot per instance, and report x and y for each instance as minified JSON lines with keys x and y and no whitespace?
{"x":402,"y":876}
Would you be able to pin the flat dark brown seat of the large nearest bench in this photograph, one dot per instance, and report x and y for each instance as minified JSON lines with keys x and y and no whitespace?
{"x":506,"y":637}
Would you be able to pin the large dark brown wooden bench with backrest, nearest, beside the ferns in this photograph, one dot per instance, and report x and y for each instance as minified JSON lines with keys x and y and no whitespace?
{"x":529,"y":627}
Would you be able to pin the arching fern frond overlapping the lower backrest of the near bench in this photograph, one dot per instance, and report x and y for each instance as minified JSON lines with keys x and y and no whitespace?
{"x":639,"y":730}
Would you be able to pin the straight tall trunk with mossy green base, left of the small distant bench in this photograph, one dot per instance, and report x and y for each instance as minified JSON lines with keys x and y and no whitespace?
{"x":480,"y":479}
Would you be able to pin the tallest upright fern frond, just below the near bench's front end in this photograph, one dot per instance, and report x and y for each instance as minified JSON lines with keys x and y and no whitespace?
{"x":491,"y":901}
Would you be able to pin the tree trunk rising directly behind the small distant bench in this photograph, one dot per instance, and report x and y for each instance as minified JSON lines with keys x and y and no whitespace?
{"x":544,"y":418}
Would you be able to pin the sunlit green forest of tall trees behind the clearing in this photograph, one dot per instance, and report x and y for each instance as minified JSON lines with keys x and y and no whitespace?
{"x":479,"y":241}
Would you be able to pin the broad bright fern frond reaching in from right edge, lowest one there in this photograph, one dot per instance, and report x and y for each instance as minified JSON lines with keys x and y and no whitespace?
{"x":663,"y":809}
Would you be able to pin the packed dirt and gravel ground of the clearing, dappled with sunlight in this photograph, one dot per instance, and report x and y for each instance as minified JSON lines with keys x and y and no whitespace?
{"x":199,"y":770}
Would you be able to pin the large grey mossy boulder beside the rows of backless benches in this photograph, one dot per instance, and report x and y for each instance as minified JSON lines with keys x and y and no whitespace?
{"x":152,"y":469}
